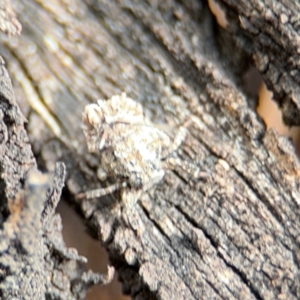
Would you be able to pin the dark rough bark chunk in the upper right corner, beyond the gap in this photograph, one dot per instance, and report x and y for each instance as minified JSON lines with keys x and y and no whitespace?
{"x":270,"y":33}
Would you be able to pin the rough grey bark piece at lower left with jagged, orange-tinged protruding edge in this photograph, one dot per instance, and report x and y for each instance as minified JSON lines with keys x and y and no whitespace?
{"x":34,"y":261}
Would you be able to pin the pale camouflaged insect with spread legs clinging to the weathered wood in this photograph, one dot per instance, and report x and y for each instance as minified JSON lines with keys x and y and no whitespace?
{"x":135,"y":153}
